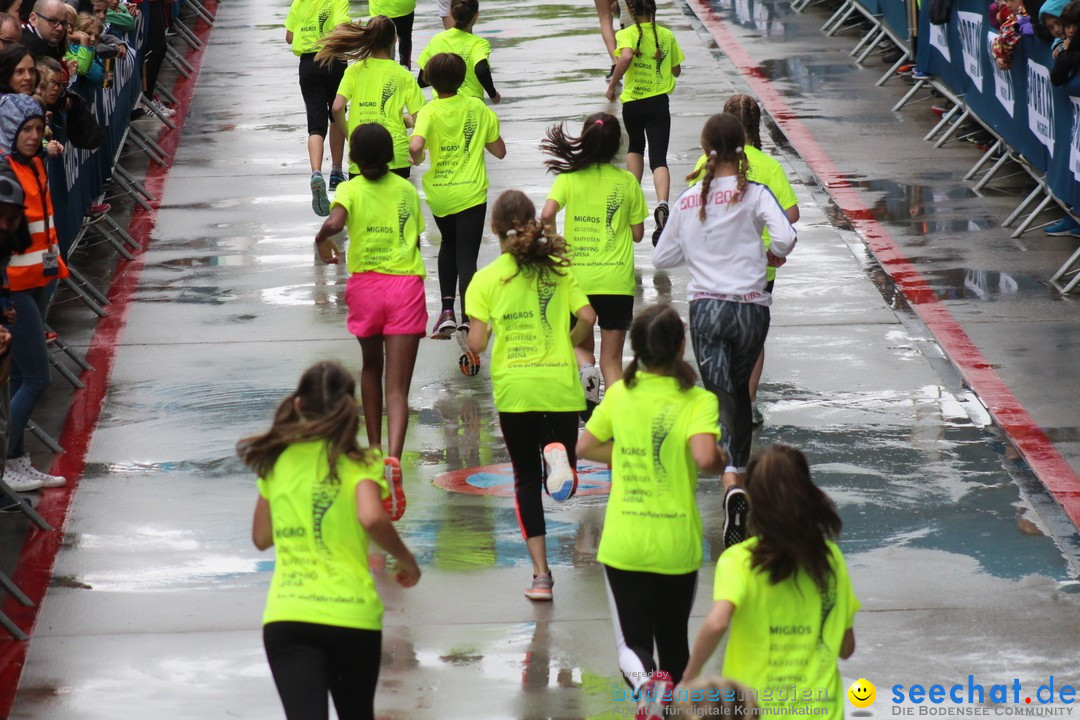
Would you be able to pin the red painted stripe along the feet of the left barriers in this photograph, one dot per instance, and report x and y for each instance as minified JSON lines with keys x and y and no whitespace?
{"x":35,"y":569}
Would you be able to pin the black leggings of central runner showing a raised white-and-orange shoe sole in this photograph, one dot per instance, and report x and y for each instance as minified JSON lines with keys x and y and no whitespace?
{"x":525,"y":434}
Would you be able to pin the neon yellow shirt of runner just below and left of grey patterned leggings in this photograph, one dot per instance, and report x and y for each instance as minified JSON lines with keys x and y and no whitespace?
{"x":652,"y":524}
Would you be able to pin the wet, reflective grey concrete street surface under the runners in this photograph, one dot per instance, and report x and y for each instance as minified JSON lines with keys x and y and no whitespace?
{"x":962,"y":560}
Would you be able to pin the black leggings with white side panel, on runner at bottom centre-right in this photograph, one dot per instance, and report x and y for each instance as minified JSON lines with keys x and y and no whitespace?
{"x":651,"y":609}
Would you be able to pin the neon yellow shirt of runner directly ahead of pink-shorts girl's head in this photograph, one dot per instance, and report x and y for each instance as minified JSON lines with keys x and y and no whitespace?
{"x":379,"y":91}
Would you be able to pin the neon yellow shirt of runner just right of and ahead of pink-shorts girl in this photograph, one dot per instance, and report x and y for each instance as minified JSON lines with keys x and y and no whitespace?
{"x":456,"y":131}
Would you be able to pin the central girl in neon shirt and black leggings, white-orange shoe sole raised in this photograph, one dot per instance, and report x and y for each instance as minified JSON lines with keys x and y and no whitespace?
{"x":526,"y":298}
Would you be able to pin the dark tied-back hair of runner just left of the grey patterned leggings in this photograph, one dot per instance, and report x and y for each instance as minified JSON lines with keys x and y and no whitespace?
{"x":656,"y":337}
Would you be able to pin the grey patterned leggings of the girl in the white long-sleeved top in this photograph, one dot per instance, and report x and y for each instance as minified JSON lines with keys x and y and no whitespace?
{"x":727,"y":339}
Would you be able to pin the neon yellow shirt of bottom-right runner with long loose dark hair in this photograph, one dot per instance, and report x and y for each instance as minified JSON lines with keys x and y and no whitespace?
{"x":787,"y":634}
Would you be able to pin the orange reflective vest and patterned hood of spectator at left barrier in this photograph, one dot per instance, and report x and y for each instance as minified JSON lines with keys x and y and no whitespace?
{"x":42,"y":263}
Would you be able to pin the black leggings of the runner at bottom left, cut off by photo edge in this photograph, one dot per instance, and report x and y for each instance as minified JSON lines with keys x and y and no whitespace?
{"x":308,"y":660}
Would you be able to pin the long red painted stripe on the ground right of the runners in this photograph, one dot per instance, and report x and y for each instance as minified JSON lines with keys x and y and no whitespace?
{"x":1022,"y":431}
